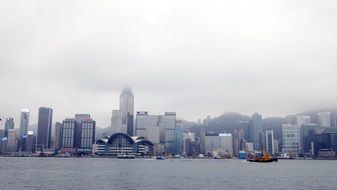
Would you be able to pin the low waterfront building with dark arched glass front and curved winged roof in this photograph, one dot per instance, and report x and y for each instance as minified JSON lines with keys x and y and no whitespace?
{"x":123,"y":144}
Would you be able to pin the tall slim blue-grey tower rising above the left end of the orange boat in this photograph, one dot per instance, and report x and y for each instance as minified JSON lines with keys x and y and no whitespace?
{"x":256,"y":131}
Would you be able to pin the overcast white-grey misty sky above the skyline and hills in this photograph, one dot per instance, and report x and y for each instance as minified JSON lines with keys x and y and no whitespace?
{"x":197,"y":58}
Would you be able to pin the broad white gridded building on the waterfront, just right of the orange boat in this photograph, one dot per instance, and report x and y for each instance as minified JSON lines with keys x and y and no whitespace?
{"x":291,"y":139}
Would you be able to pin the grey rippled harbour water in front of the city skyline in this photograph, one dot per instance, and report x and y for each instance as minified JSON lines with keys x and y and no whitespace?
{"x":88,"y":173}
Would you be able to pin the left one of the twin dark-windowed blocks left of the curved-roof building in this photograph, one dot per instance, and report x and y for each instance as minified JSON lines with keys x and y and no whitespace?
{"x":68,"y":135}
